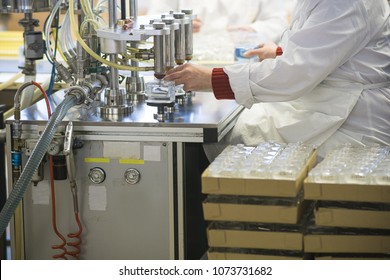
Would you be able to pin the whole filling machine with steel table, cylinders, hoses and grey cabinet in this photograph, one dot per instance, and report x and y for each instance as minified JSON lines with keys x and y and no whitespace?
{"x":114,"y":171}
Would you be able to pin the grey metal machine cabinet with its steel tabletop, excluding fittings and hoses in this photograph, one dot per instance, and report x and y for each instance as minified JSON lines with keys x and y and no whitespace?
{"x":174,"y":196}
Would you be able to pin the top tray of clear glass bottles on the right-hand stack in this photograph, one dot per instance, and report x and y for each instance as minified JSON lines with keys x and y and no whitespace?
{"x":349,"y":173}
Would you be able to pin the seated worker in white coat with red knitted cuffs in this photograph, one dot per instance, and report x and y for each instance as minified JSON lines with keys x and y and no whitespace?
{"x":331,"y":85}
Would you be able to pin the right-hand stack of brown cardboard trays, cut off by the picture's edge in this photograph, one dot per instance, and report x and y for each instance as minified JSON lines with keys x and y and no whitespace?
{"x":350,"y":220}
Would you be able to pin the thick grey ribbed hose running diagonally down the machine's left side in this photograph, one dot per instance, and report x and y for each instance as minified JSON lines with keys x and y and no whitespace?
{"x":34,"y":160}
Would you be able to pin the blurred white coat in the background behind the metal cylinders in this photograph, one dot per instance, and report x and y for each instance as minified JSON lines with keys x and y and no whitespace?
{"x":267,"y":17}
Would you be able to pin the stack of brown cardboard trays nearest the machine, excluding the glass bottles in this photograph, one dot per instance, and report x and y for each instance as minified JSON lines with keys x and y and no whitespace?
{"x":255,"y":218}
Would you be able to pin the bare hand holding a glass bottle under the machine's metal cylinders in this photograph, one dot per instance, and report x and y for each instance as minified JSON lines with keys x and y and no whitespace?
{"x":193,"y":77}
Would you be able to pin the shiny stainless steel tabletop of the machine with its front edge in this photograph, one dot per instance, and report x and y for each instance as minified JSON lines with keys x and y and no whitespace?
{"x":202,"y":118}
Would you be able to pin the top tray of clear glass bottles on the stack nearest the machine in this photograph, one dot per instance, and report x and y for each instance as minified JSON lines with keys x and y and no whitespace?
{"x":270,"y":169}
